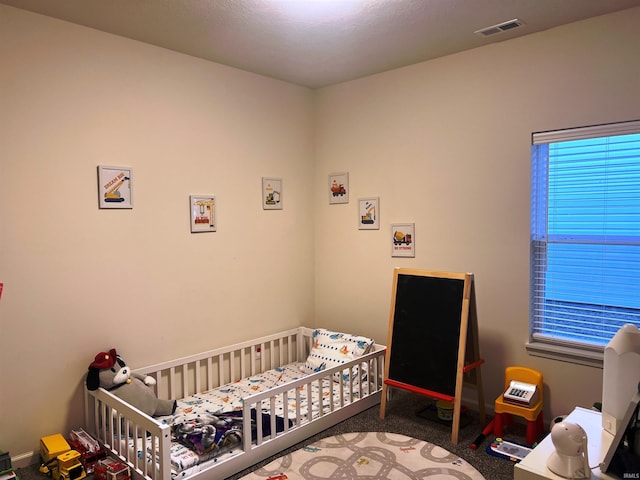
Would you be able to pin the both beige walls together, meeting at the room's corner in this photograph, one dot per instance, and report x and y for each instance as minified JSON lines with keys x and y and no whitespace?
{"x":444,"y":144}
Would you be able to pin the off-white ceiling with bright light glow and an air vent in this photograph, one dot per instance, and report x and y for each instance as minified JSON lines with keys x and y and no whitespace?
{"x":316,"y":43}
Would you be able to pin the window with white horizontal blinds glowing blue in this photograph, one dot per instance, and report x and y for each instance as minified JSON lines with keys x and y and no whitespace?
{"x":585,"y":239}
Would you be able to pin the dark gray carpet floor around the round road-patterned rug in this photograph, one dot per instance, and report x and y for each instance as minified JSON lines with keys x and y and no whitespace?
{"x":401,"y":417}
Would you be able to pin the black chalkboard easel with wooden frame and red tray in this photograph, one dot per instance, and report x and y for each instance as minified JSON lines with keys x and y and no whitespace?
{"x":432,"y":346}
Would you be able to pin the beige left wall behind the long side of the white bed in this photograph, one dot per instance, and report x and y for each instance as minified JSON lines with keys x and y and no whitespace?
{"x":79,"y":280}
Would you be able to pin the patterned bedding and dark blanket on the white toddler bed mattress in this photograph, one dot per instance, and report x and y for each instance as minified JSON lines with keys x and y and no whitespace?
{"x":209,"y":425}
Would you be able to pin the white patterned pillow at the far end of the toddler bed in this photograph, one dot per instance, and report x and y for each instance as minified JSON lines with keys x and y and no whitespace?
{"x":331,"y":349}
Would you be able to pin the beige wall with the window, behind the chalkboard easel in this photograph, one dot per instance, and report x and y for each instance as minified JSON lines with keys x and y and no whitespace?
{"x":446,"y":144}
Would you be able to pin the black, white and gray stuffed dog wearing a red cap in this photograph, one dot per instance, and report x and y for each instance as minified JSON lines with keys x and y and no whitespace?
{"x":110,"y":372}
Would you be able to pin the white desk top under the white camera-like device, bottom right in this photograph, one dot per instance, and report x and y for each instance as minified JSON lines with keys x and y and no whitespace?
{"x":534,"y":465}
